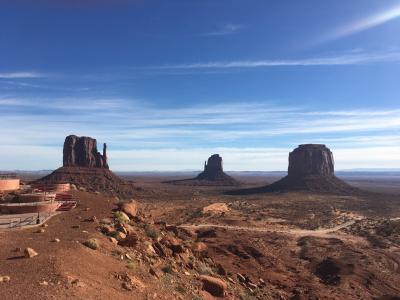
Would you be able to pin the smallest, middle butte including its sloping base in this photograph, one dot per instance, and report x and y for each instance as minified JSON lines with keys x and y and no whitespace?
{"x":213,"y":175}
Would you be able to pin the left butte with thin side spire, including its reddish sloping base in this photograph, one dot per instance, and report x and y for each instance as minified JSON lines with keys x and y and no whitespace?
{"x":85,"y":167}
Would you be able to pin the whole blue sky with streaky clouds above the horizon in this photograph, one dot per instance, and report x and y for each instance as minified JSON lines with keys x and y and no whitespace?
{"x":167,"y":83}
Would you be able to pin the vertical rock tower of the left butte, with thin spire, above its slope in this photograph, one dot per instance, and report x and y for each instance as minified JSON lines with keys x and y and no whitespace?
{"x":82,"y":152}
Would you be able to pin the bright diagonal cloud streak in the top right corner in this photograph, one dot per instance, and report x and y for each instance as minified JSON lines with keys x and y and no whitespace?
{"x":362,"y":25}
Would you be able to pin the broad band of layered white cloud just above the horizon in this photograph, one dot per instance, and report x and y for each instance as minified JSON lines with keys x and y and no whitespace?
{"x":143,"y":137}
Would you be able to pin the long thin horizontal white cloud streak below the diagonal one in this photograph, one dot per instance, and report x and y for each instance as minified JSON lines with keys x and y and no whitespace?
{"x":346,"y":59}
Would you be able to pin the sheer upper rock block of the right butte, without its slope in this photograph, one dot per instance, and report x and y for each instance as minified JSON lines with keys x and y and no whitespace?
{"x":311,"y":159}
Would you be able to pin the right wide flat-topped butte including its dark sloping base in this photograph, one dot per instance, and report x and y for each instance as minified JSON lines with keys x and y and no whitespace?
{"x":311,"y":168}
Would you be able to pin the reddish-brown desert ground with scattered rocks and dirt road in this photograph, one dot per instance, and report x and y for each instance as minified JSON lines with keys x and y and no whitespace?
{"x":294,"y":245}
